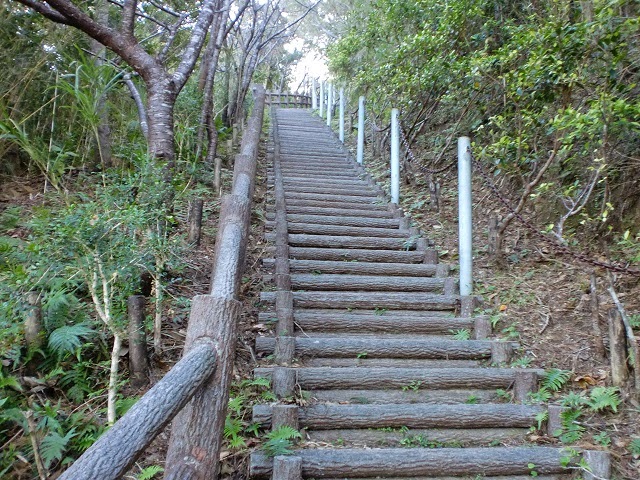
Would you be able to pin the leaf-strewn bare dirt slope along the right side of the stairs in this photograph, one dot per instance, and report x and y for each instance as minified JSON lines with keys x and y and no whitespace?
{"x":542,"y":302}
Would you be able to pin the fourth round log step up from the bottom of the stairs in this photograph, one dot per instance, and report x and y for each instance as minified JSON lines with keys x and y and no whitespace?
{"x":383,"y":348}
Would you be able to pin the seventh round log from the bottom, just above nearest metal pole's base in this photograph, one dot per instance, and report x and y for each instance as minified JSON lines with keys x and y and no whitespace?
{"x":306,"y":281}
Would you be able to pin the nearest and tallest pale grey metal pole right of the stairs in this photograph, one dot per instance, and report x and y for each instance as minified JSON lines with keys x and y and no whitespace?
{"x":465,"y":229}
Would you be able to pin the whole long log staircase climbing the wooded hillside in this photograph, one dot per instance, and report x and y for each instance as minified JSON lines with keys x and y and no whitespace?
{"x":365,"y":361}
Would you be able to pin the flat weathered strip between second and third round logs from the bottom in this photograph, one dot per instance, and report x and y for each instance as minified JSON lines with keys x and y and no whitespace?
{"x":405,"y":396}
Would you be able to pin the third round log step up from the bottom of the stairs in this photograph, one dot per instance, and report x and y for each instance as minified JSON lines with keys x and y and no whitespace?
{"x":326,"y":378}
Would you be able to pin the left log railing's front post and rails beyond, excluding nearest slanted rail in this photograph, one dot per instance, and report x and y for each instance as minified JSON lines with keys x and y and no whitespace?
{"x":196,"y":436}
